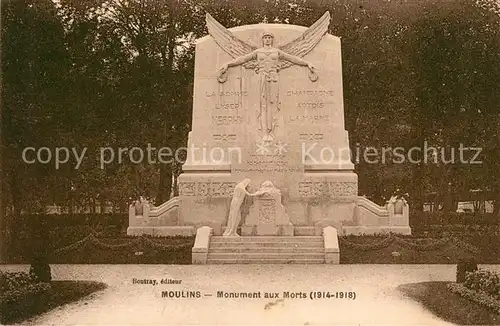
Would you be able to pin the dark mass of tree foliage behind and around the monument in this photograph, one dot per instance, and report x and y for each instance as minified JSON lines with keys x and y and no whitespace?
{"x":119,"y":73}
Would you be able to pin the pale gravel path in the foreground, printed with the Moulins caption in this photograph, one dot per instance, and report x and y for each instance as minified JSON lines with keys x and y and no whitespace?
{"x":377,"y":301}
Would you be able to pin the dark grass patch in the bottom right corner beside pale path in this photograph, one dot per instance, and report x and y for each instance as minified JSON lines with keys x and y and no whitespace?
{"x":449,"y":306}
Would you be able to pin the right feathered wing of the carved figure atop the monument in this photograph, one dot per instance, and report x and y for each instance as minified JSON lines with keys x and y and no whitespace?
{"x":307,"y":41}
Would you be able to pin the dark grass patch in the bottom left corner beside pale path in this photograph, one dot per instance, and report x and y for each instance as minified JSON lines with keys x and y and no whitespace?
{"x":61,"y":293}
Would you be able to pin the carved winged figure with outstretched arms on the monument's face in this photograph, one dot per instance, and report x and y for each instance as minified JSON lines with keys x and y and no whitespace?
{"x":267,"y":60}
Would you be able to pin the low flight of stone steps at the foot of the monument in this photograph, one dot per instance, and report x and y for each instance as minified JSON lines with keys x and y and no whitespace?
{"x":266,"y":250}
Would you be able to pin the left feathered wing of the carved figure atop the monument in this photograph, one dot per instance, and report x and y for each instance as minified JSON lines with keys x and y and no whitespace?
{"x":228,"y":42}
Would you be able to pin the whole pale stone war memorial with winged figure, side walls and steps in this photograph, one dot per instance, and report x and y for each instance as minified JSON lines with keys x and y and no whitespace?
{"x":268,"y":176}
